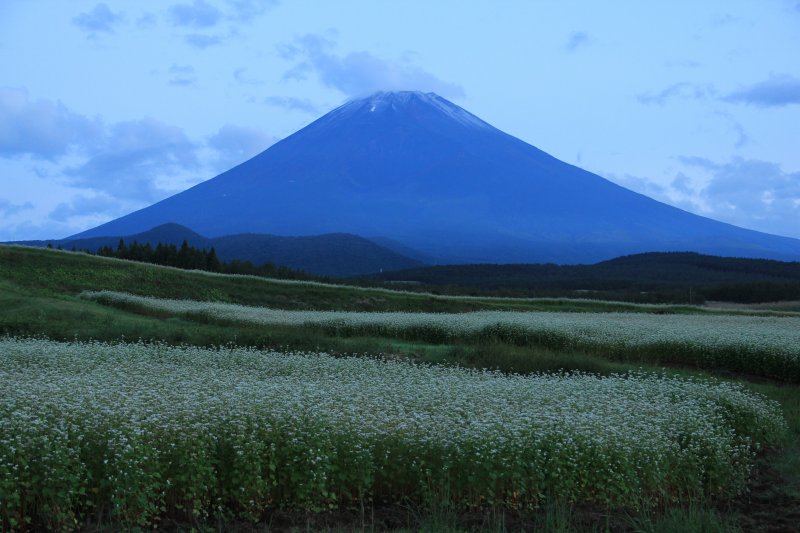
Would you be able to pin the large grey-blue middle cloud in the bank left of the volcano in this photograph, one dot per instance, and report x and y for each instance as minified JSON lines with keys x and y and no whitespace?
{"x":132,"y":158}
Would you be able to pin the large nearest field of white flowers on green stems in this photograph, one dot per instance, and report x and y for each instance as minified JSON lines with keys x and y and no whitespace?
{"x":138,"y":432}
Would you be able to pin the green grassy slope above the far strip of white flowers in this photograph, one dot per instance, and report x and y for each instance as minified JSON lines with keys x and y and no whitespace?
{"x":47,"y":272}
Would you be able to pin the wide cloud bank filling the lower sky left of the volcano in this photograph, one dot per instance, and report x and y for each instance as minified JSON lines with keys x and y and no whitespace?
{"x":98,"y":171}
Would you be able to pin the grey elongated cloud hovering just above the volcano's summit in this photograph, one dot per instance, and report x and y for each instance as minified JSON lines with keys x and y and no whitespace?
{"x":360,"y":73}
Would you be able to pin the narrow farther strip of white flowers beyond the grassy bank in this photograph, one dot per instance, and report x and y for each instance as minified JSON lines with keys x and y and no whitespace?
{"x":761,"y":345}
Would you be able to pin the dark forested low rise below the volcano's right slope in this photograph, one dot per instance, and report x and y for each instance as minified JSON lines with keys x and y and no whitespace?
{"x":668,"y":277}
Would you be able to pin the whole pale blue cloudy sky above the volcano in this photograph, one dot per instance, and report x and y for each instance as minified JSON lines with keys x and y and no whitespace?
{"x":108,"y":107}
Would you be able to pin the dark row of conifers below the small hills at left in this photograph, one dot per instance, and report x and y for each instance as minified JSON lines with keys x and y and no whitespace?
{"x":191,"y":258}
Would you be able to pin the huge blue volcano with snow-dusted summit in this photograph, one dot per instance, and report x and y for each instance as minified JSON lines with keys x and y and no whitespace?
{"x":423,"y":172}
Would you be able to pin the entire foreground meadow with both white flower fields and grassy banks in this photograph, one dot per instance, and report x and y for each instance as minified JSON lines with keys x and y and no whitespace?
{"x":136,"y":396}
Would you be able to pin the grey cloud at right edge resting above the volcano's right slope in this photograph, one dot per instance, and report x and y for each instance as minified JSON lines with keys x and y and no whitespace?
{"x":751,"y":193}
